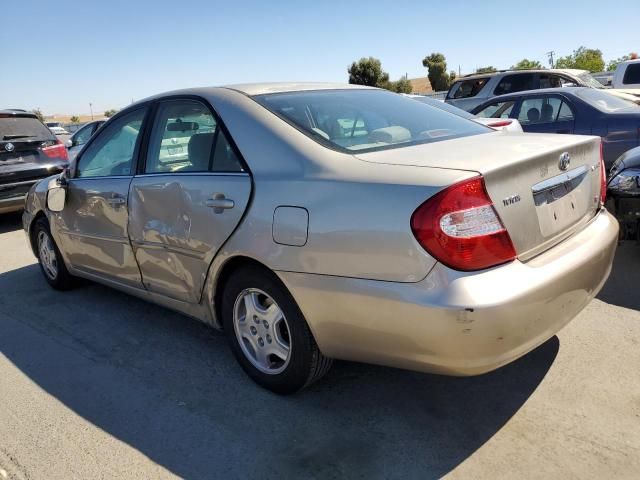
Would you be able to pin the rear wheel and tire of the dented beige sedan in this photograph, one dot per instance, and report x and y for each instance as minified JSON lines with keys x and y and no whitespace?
{"x":254,"y":331}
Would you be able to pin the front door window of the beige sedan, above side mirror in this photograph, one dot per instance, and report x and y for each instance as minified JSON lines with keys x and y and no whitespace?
{"x":112,"y":151}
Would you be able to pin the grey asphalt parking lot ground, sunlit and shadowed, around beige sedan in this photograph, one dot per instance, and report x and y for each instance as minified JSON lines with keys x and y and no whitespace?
{"x":97,"y":384}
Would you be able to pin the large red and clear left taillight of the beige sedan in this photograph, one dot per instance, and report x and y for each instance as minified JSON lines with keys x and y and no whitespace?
{"x":460,"y":228}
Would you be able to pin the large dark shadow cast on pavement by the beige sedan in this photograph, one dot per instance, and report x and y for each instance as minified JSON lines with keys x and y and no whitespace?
{"x":169,"y":387}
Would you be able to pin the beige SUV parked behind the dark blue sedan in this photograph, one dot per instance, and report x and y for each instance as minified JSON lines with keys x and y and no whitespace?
{"x":469,"y":91}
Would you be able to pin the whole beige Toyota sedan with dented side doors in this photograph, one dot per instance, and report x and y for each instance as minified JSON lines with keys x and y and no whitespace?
{"x":314,"y":222}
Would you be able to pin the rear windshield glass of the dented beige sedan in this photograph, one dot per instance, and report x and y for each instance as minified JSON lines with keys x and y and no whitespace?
{"x":366,"y":120}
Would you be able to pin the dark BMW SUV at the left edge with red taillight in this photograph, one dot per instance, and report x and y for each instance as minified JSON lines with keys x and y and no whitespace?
{"x":28,"y":152}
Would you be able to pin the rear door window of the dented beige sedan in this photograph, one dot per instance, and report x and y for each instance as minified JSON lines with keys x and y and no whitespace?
{"x":187,"y":138}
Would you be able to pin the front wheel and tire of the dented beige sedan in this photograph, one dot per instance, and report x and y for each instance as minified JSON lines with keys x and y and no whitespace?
{"x":49,"y":258}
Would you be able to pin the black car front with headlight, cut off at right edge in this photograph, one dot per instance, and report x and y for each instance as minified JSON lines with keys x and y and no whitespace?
{"x":623,"y":193}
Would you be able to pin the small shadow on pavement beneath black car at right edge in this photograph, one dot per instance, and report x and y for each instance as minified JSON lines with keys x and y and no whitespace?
{"x":622,"y":286}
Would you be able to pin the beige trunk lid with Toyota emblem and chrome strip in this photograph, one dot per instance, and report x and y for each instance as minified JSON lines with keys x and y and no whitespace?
{"x":538,"y":202}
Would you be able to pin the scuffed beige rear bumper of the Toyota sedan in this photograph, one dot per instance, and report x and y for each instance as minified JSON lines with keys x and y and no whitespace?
{"x":455,"y":322}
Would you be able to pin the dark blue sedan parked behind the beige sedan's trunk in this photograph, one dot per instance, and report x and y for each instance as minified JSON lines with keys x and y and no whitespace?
{"x":578,"y":110}
